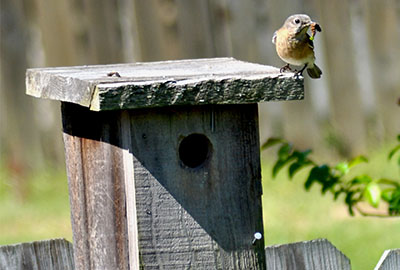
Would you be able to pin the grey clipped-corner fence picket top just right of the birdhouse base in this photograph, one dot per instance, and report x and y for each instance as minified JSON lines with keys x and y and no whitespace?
{"x":309,"y":255}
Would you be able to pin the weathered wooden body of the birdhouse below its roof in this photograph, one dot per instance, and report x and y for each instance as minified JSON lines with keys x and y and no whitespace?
{"x":203,"y":217}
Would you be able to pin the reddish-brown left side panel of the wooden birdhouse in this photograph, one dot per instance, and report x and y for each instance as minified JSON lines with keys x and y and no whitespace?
{"x":96,"y":173}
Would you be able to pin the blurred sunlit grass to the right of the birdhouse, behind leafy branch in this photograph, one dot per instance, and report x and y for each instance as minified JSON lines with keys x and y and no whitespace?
{"x":292,"y":214}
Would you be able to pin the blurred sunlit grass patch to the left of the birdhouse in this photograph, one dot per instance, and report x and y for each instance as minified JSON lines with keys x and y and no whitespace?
{"x":41,"y":213}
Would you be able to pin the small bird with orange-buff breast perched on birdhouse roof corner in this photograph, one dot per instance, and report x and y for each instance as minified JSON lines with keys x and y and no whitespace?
{"x":295,"y":46}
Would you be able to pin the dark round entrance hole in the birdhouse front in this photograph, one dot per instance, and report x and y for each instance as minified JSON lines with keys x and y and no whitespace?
{"x":194,"y":150}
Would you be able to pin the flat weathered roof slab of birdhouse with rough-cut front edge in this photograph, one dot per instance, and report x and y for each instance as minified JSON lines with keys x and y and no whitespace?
{"x":185,"y":82}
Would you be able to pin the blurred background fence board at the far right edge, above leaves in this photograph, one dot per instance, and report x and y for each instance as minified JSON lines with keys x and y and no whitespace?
{"x":383,"y":44}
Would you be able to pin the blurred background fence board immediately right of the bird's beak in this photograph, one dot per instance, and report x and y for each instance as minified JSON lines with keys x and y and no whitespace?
{"x":345,"y":94}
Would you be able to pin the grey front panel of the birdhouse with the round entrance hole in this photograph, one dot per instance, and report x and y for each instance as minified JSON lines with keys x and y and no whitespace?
{"x":198,"y":185}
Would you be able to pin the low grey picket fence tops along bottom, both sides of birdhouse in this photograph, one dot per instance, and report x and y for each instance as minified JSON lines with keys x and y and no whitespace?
{"x":317,"y":254}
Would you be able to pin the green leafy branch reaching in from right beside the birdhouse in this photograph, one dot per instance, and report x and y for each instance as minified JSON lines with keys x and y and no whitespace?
{"x":336,"y":180}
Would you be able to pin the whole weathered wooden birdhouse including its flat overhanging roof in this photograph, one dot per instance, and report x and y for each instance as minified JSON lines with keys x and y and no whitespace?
{"x":154,"y":185}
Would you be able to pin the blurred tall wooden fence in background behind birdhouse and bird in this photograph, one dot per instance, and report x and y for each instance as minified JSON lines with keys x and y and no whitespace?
{"x":358,"y":50}
